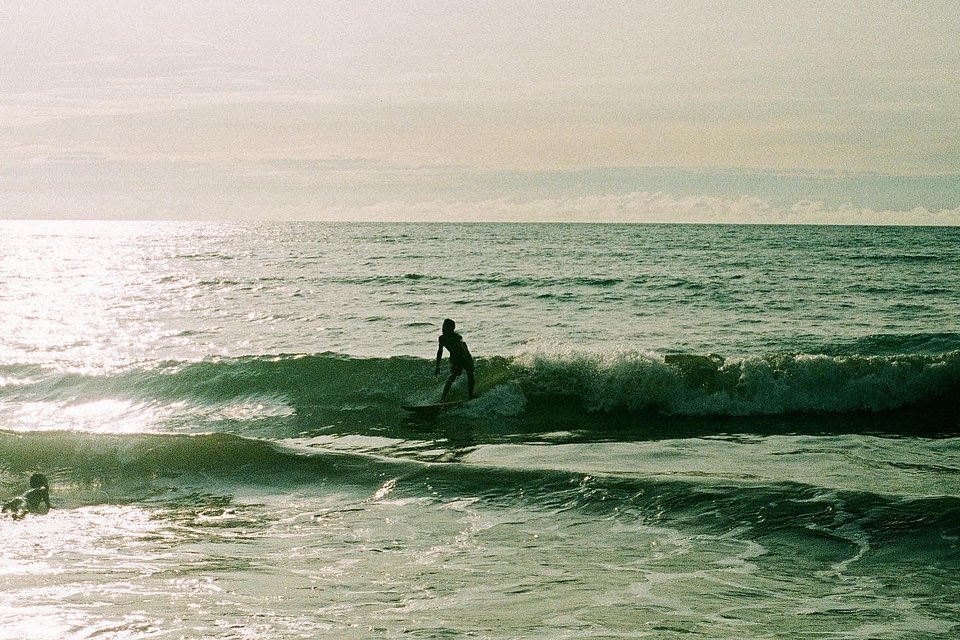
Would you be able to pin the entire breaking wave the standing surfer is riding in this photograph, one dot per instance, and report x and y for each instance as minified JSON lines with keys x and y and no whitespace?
{"x":280,"y":396}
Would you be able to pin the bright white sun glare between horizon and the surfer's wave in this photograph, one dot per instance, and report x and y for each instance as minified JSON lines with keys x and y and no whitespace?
{"x":68,"y":293}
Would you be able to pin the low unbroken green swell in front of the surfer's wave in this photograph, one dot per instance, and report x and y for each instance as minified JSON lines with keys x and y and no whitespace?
{"x":162,"y":469}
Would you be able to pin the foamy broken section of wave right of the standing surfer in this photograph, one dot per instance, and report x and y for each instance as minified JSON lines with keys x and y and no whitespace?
{"x":697,"y":385}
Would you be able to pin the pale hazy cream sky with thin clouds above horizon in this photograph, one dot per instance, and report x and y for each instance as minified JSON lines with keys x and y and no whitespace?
{"x":623,"y":110}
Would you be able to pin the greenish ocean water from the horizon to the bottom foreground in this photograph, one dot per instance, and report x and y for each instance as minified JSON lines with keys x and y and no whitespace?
{"x":682,"y":431}
